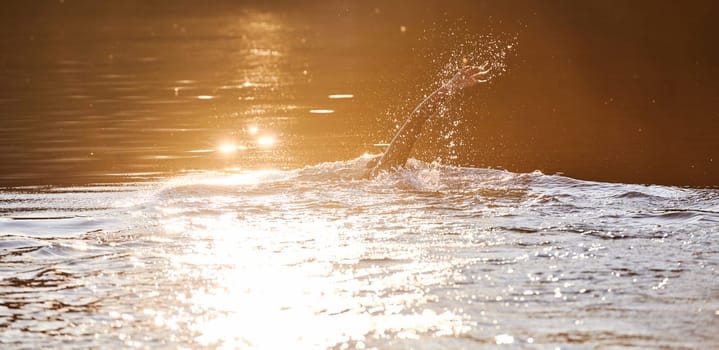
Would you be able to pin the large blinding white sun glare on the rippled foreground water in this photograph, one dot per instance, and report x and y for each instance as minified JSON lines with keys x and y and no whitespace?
{"x":314,"y":283}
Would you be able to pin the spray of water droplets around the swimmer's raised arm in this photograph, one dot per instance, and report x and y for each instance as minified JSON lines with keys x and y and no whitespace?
{"x":445,"y":48}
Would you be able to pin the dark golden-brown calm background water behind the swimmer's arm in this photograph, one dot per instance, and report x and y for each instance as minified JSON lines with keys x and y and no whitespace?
{"x":93,"y":92}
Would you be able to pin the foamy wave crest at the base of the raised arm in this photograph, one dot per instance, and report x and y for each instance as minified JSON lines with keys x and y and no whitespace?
{"x":346,"y":175}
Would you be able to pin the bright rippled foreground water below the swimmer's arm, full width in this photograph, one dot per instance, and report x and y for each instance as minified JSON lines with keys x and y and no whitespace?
{"x":432,"y":256}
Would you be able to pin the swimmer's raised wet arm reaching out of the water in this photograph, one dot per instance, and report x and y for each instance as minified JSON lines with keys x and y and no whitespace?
{"x":399,"y":149}
